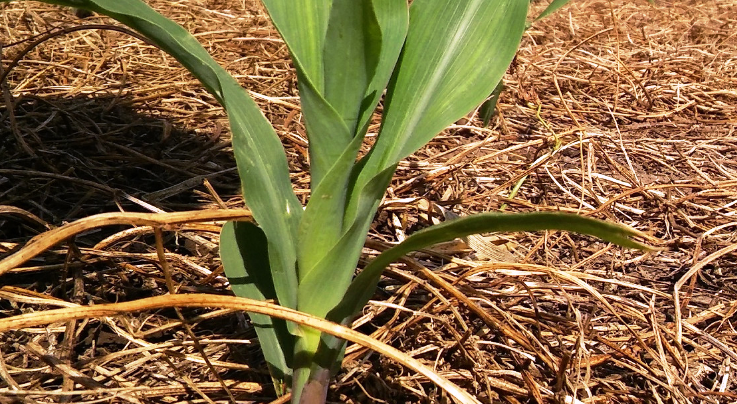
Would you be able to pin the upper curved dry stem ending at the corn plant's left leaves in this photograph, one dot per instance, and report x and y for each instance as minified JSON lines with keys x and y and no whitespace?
{"x":46,"y":240}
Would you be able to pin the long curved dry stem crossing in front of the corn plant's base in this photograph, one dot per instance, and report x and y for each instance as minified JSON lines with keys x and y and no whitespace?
{"x":237,"y":303}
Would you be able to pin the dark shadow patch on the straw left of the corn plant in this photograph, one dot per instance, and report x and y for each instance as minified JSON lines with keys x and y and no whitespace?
{"x":94,"y":155}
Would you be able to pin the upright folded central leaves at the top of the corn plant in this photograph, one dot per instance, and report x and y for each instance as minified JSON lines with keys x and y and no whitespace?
{"x":341,"y":86}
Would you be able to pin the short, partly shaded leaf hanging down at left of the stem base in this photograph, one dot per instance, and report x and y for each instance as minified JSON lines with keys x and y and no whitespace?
{"x":244,"y":253}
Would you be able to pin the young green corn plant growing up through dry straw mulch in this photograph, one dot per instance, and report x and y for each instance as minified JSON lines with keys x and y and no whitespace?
{"x":430,"y":62}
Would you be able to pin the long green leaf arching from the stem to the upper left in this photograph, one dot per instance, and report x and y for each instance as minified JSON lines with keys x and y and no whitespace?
{"x":262,"y":163}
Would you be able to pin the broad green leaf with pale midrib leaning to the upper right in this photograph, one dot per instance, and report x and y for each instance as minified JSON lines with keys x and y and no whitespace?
{"x":454,"y":55}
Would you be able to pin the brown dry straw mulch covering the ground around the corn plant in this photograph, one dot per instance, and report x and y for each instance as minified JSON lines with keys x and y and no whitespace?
{"x":617,"y":110}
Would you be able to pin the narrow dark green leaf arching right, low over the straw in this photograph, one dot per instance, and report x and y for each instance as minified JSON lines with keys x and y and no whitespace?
{"x":363,"y":286}
